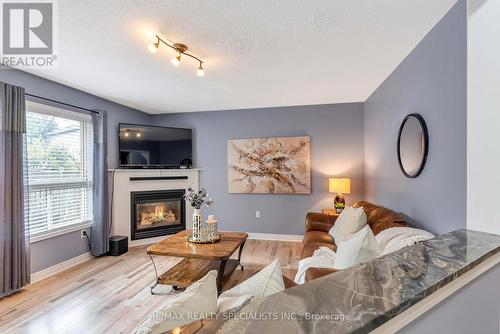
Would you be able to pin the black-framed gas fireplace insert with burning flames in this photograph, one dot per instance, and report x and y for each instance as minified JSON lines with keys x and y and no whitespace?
{"x":157,"y":213}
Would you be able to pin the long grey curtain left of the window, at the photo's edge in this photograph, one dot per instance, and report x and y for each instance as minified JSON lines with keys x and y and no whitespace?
{"x":14,"y":238}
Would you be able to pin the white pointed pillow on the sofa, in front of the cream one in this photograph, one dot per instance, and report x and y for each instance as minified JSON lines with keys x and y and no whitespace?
{"x":361,"y":247}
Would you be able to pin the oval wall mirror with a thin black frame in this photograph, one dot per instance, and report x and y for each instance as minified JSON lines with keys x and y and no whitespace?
{"x":413,"y":145}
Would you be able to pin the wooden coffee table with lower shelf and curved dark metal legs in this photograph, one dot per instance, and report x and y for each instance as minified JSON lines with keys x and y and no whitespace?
{"x":199,"y":259}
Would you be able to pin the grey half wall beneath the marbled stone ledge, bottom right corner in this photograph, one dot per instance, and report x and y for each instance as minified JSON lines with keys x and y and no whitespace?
{"x":473,"y":309}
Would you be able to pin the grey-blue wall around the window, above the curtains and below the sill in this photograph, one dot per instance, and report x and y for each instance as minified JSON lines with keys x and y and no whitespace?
{"x":49,"y":252}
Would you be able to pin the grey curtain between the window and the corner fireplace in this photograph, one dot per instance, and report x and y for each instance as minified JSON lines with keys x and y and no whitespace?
{"x":99,"y":243}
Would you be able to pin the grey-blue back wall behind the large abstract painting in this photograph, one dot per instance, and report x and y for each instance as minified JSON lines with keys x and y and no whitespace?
{"x":336,"y":149}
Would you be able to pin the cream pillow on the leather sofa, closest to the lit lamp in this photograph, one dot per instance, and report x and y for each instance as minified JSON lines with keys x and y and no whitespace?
{"x":350,"y":221}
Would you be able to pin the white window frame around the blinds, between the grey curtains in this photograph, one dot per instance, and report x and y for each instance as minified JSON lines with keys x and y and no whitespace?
{"x":42,"y":108}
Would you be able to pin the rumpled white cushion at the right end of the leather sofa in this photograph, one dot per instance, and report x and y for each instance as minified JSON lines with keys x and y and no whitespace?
{"x":396,"y":238}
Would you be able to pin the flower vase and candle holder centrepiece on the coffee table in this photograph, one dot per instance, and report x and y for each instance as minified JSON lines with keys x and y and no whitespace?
{"x":200,"y":230}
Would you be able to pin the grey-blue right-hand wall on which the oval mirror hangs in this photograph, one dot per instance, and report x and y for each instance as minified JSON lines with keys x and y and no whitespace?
{"x":430,"y":81}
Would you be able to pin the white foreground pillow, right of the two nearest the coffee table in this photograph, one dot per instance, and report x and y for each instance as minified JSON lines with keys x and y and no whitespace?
{"x":264,"y":283}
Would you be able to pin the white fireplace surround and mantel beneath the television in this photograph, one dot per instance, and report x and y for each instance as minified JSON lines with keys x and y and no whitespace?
{"x":123,"y":186}
